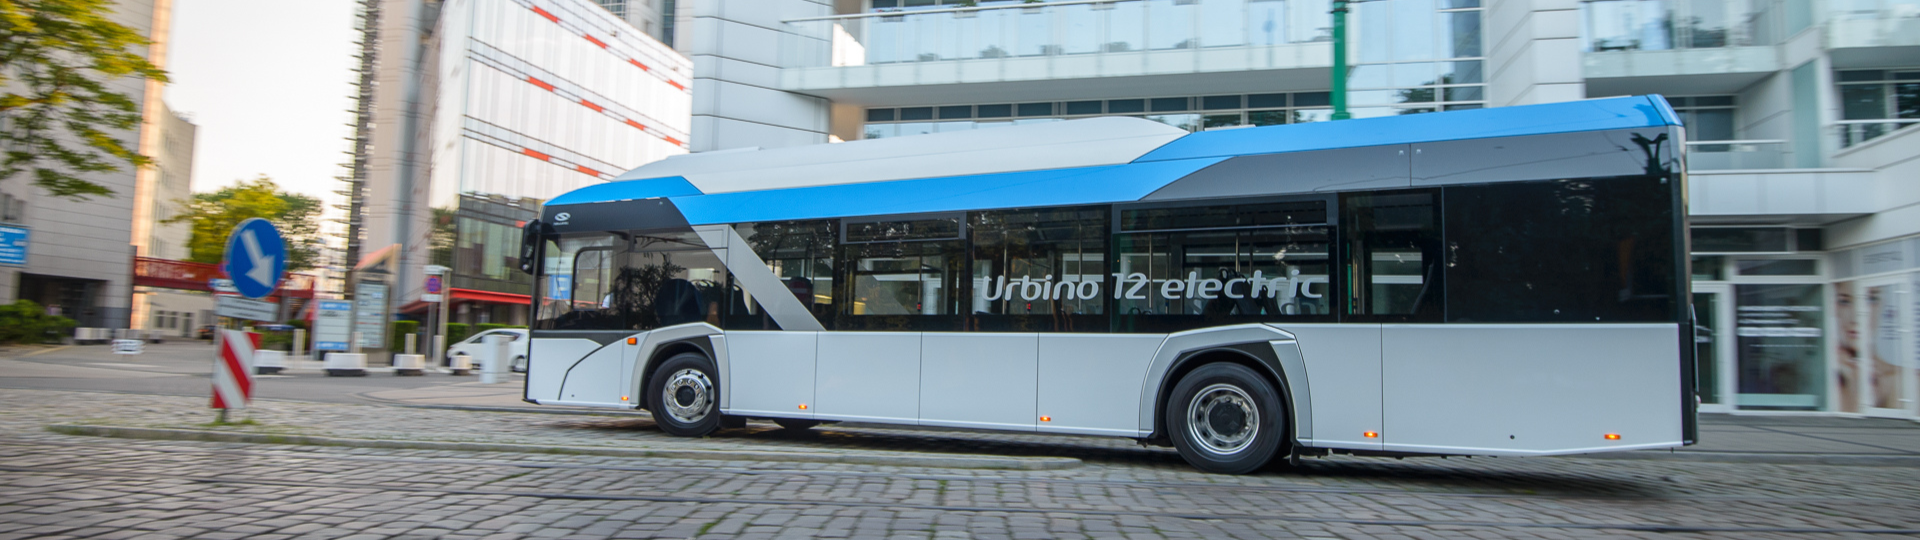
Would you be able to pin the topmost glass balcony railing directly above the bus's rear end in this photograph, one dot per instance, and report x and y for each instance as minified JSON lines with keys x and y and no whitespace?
{"x":1679,"y":24}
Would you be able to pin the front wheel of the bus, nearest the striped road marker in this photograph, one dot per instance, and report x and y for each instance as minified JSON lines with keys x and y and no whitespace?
{"x":675,"y":395}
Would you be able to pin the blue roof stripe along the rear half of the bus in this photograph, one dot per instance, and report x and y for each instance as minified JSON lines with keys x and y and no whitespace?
{"x":1424,"y":128}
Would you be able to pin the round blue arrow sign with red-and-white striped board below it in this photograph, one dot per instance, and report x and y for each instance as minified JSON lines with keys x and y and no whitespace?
{"x":254,"y":264}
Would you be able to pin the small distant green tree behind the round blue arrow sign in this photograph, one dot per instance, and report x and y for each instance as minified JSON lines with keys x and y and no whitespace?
{"x":216,"y":216}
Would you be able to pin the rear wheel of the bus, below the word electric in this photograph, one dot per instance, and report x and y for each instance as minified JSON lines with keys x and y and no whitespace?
{"x":1220,"y":395}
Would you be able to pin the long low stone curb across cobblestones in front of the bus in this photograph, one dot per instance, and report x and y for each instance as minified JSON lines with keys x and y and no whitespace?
{"x":928,"y":460}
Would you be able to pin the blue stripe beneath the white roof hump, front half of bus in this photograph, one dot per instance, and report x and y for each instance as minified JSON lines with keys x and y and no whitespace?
{"x":1026,"y":189}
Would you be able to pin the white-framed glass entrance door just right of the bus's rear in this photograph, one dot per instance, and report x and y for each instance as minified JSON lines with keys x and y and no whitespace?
{"x":1781,"y":347}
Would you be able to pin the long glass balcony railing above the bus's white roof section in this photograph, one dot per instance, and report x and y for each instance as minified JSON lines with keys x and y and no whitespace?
{"x":1051,"y":30}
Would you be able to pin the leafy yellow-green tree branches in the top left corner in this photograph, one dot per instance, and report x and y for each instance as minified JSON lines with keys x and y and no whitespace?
{"x":57,"y":61}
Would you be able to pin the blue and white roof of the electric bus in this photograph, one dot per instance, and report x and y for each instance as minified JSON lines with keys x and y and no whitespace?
{"x":1053,"y":164}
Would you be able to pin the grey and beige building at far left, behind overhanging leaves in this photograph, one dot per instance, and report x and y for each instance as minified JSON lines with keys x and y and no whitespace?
{"x":80,"y":255}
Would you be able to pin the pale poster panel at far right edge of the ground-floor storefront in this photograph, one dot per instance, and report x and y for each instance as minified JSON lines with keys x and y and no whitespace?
{"x":1884,"y":349}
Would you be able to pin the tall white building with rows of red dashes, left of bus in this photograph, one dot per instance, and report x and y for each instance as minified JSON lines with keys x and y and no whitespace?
{"x":473,"y":112}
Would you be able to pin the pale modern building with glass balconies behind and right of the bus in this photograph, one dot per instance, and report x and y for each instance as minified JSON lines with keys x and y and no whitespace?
{"x":1800,"y":124}
